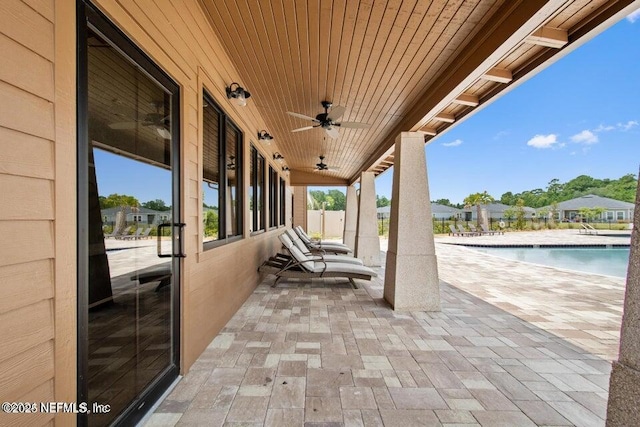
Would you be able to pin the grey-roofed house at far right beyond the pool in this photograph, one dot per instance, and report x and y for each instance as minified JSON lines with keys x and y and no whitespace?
{"x":615,"y":210}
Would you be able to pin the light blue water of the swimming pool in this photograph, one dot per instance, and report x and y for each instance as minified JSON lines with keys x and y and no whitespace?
{"x":611,"y":262}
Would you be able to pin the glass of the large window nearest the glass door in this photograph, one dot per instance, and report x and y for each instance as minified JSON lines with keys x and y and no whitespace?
{"x":221,"y":176}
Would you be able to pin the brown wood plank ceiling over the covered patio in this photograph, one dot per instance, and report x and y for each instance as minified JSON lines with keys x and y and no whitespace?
{"x":398,"y":65}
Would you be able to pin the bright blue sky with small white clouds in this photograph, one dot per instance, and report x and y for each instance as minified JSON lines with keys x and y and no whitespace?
{"x":580,"y":115}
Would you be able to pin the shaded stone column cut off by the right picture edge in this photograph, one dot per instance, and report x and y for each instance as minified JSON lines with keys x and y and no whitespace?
{"x":624,"y":386}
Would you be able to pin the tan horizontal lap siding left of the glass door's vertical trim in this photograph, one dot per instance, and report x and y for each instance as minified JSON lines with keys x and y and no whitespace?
{"x":28,"y":213}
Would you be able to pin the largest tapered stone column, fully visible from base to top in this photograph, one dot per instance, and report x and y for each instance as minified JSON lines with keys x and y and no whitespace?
{"x":411,"y":272}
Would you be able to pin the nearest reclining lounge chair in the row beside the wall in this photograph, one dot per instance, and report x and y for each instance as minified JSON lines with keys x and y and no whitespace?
{"x":303,"y":267}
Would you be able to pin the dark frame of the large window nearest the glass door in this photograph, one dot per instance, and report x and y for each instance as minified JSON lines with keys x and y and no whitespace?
{"x":226,"y":123}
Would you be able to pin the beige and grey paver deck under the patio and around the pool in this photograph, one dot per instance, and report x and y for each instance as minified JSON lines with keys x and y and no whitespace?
{"x":515,"y":344}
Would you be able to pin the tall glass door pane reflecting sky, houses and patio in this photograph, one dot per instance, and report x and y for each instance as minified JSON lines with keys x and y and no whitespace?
{"x":129,"y":335}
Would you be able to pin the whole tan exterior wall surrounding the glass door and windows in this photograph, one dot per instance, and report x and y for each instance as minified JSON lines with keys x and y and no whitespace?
{"x":38,"y":174}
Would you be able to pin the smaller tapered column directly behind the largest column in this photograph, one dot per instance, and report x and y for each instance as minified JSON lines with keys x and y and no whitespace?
{"x":367,"y":240}
